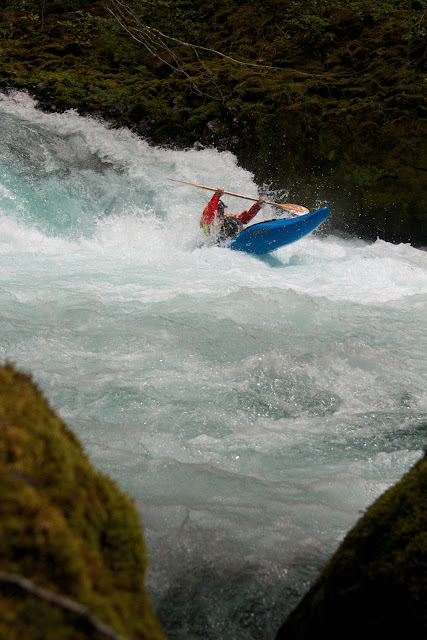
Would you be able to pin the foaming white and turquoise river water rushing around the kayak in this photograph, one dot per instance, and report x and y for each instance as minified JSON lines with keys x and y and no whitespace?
{"x":253,"y":408}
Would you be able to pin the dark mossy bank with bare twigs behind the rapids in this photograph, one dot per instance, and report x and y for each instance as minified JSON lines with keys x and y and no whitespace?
{"x":323,"y":100}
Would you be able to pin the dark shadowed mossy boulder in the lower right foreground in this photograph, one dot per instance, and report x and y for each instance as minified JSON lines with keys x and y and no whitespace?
{"x":375,"y":586}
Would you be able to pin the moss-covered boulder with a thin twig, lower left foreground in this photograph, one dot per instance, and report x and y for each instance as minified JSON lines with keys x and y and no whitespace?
{"x":66,"y":531}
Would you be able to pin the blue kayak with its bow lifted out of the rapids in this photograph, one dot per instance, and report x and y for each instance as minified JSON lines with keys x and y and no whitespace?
{"x":271,"y":235}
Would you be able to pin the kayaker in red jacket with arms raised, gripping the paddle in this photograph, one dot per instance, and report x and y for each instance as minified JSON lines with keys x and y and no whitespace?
{"x":225,"y":225}
